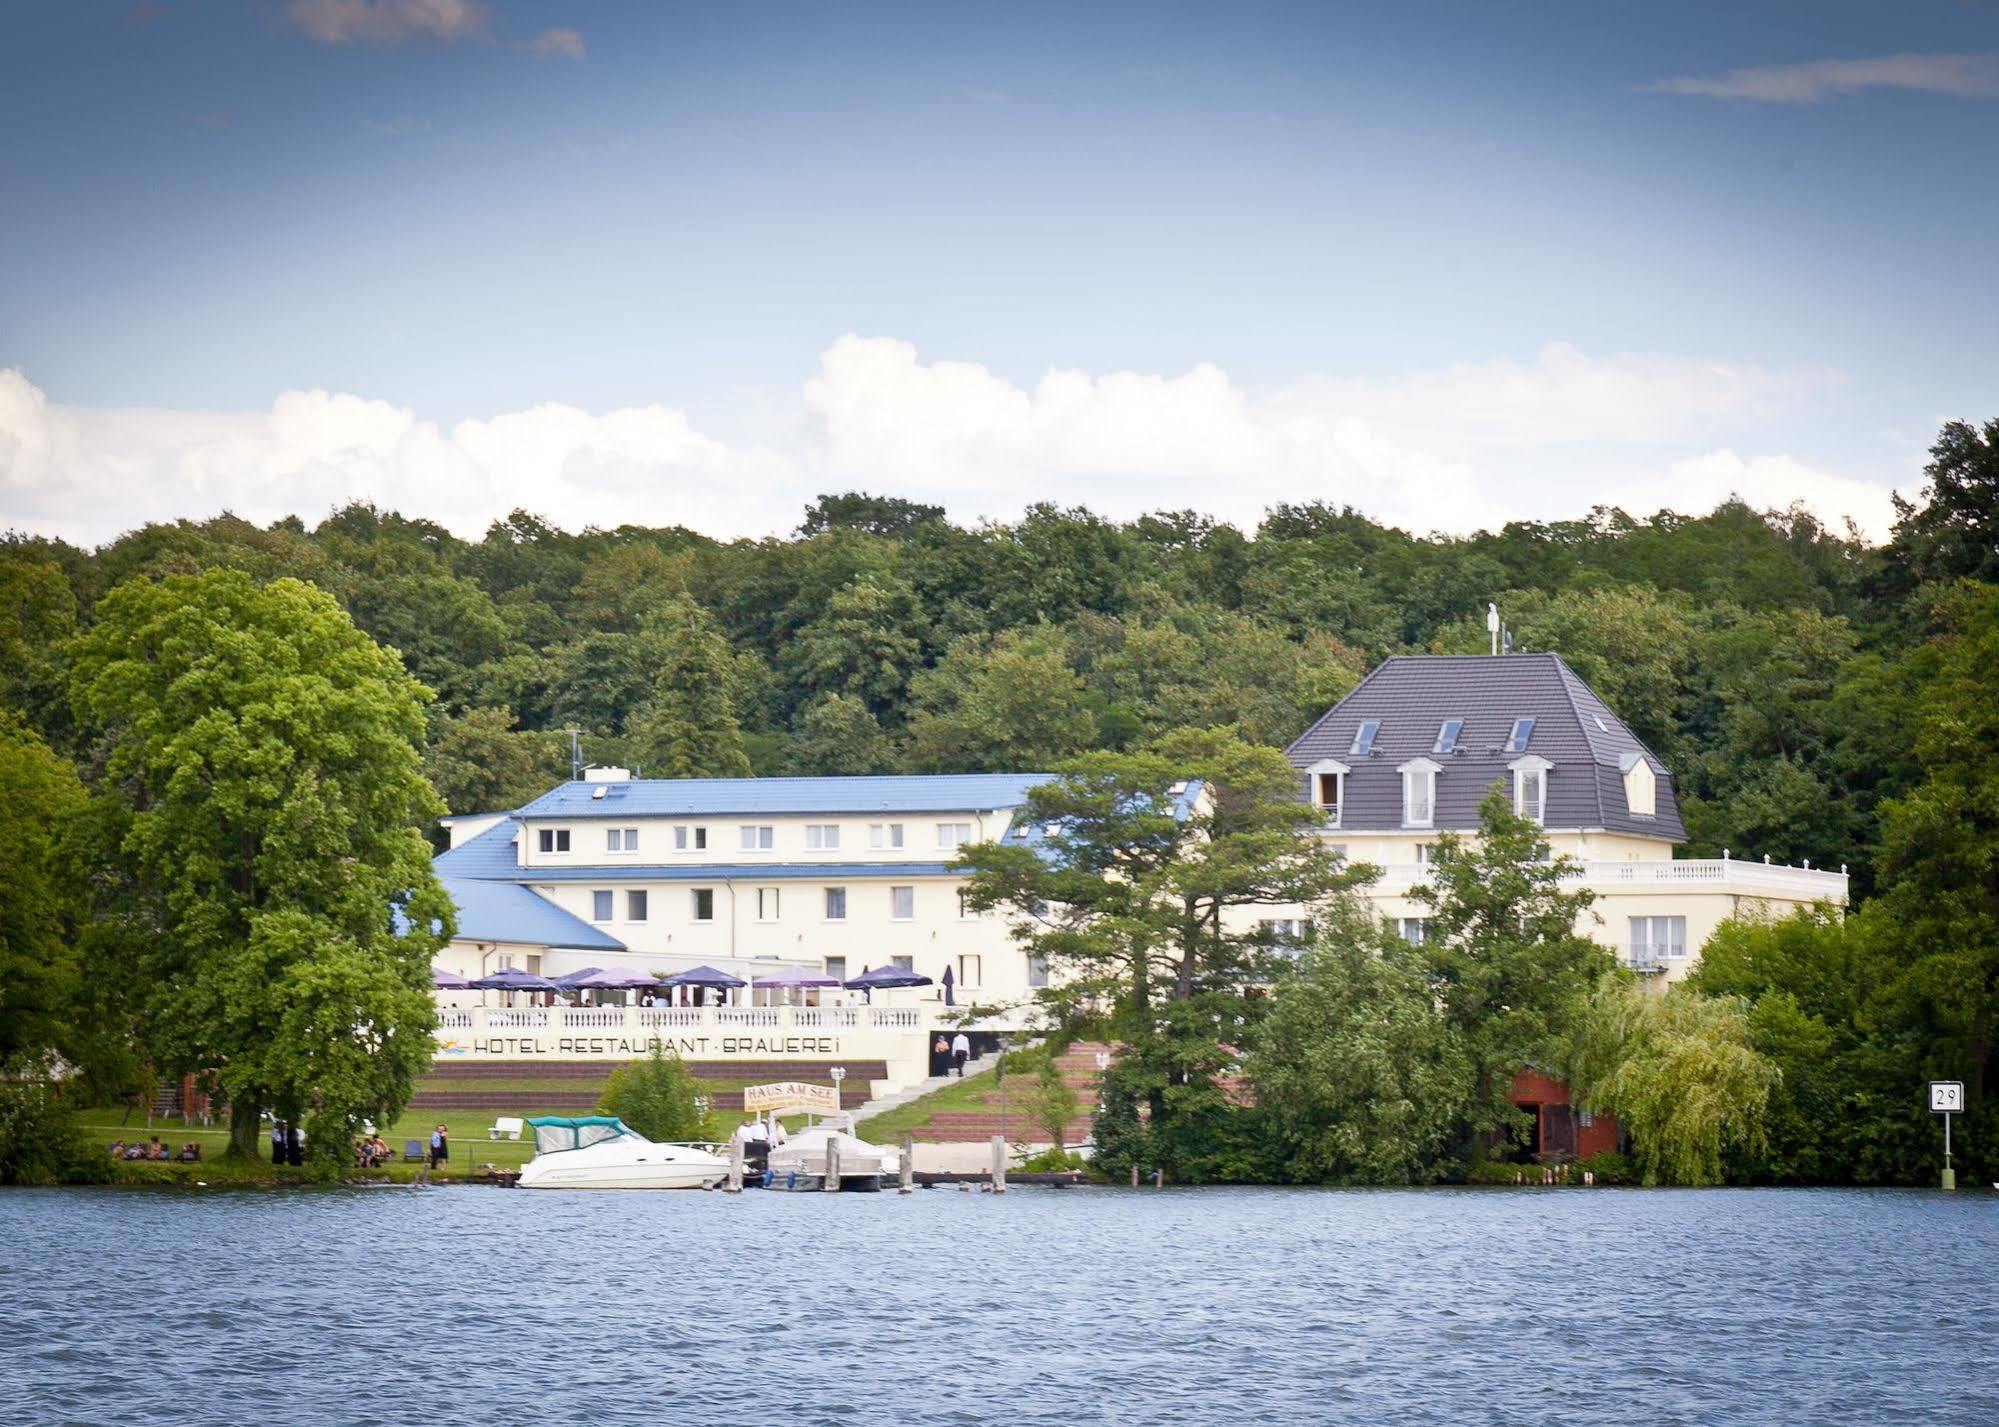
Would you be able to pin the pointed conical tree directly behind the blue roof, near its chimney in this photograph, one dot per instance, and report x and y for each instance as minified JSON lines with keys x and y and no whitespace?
{"x":691,"y":726}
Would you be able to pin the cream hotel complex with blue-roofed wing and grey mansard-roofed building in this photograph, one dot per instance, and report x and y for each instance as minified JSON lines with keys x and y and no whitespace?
{"x":847,"y":874}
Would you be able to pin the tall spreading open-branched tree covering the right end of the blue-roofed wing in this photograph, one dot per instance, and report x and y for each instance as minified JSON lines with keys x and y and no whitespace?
{"x":1138,"y":886}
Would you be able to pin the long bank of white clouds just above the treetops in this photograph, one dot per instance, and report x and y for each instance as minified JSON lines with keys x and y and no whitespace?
{"x":1456,"y":449}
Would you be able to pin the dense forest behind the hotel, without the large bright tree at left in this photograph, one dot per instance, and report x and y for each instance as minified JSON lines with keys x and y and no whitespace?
{"x":1820,"y":699}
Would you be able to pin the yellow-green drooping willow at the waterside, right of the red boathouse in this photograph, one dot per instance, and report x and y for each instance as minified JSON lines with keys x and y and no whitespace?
{"x":1680,"y":1072}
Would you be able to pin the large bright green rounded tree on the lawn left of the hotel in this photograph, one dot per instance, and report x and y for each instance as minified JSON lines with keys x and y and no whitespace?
{"x":261,"y":800}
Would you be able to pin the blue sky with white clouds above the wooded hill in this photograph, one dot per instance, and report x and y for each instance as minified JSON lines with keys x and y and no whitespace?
{"x":1452,"y":265}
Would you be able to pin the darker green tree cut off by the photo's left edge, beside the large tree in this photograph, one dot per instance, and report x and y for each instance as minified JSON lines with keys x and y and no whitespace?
{"x":43,"y":896}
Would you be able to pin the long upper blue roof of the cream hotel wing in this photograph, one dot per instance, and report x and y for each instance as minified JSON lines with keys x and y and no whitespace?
{"x":721,"y":796}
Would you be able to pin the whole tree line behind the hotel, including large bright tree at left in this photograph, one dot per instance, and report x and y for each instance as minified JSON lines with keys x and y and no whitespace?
{"x":221,"y":742}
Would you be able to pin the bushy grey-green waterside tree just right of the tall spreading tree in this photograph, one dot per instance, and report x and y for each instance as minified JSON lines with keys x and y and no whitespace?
{"x":1356,"y":1072}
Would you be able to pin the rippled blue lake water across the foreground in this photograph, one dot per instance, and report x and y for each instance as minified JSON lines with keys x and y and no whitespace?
{"x":1078,"y":1306}
